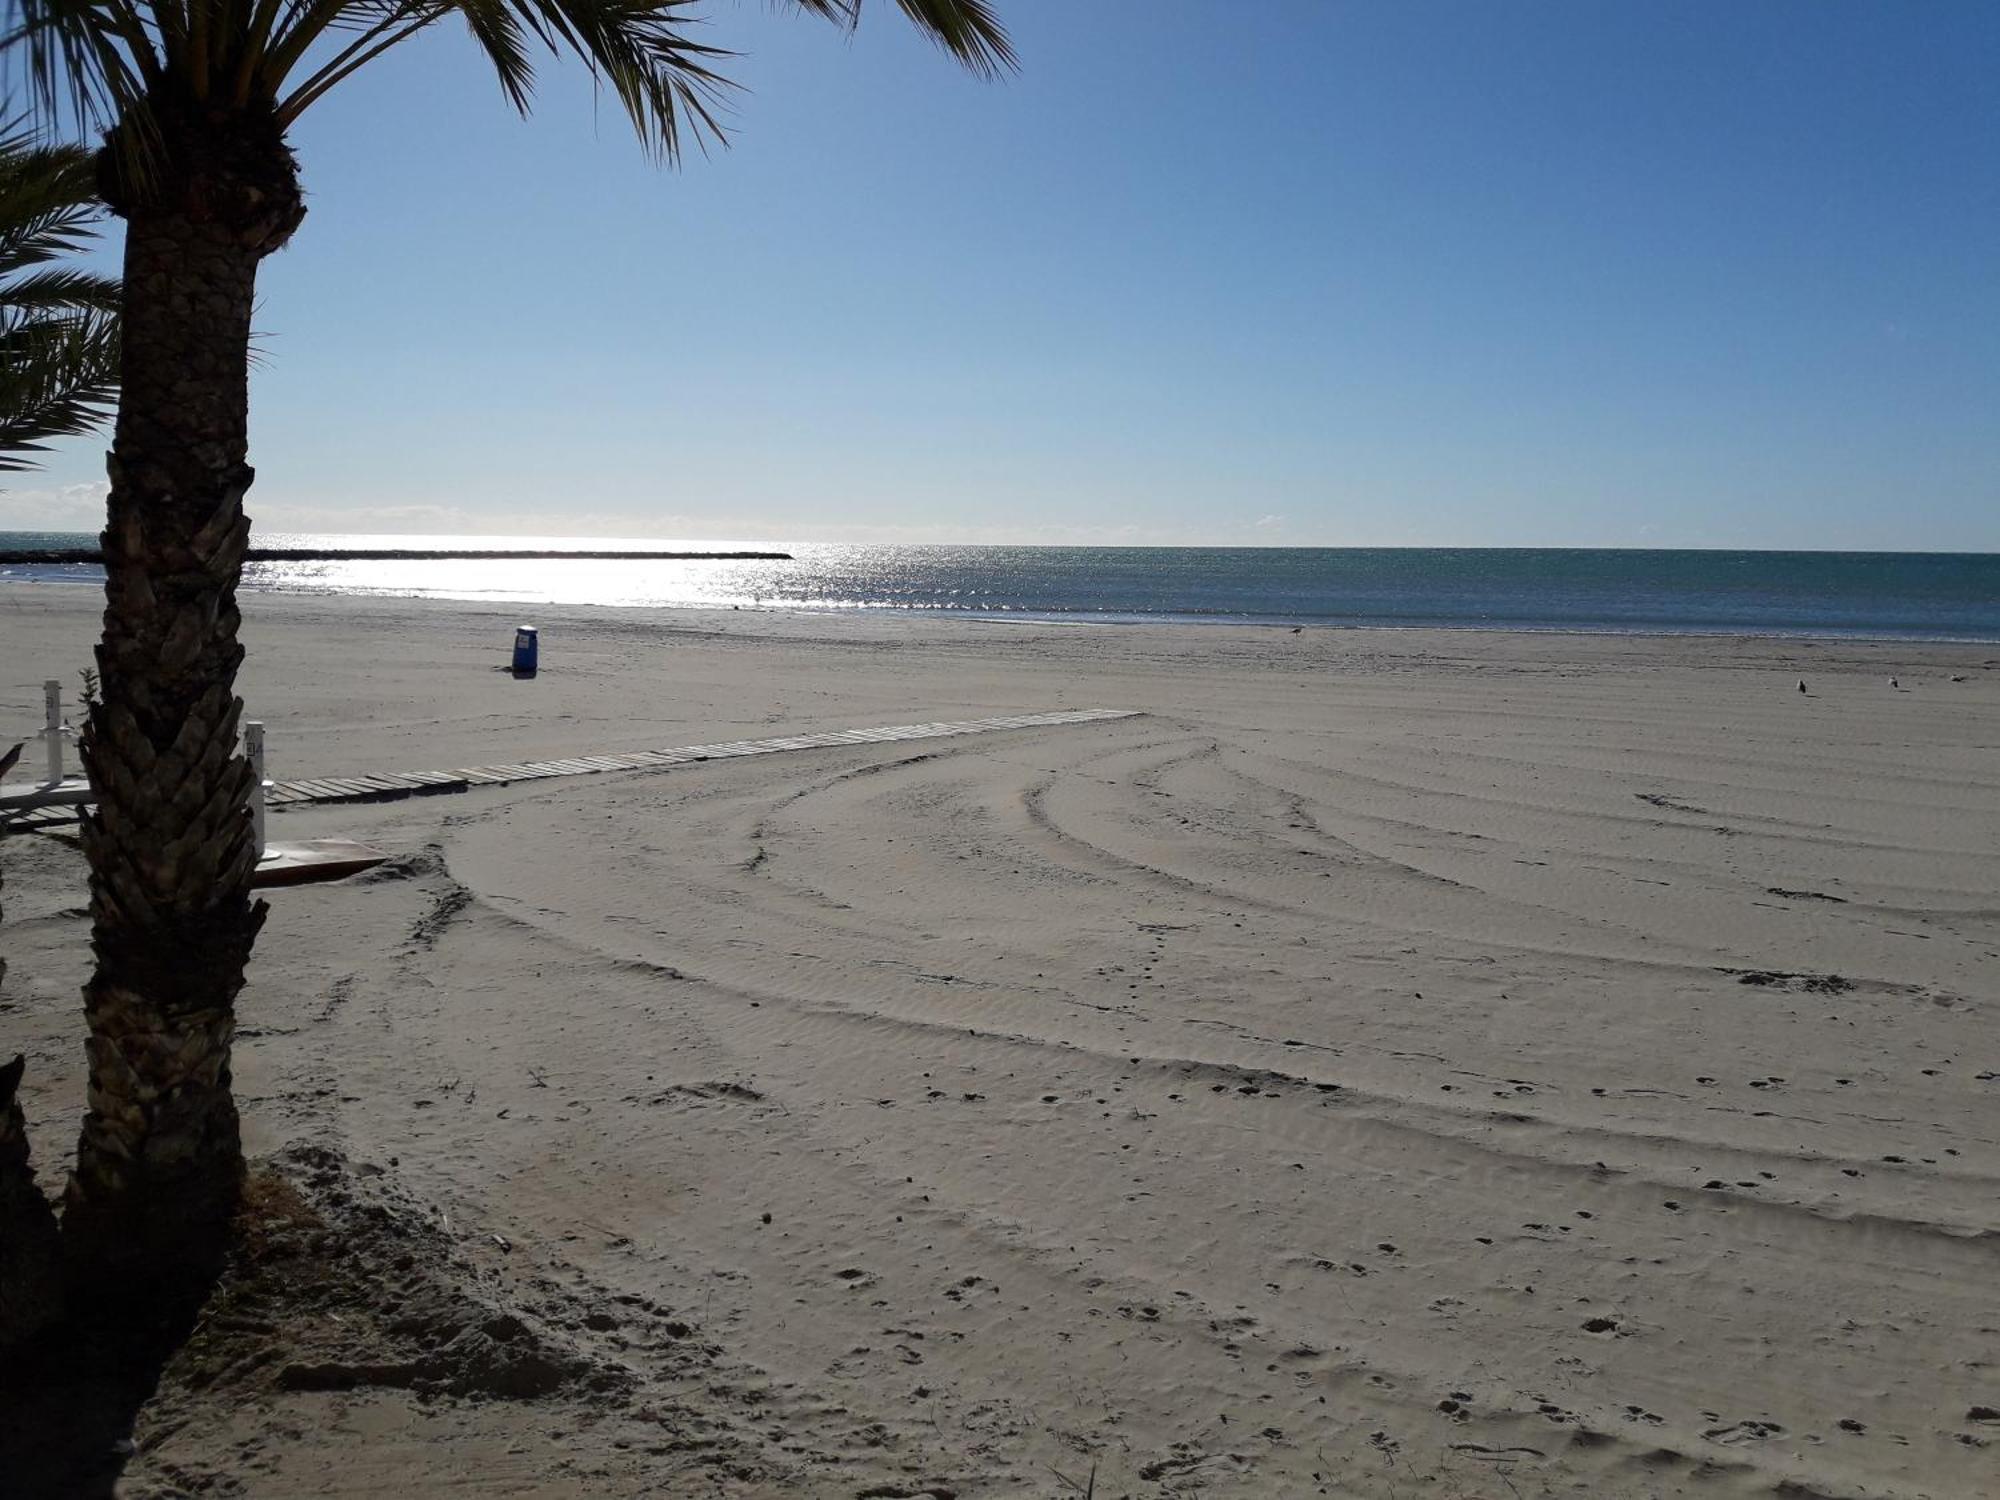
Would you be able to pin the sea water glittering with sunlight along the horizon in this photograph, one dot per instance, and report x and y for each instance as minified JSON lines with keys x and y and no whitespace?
{"x":1885,"y":595}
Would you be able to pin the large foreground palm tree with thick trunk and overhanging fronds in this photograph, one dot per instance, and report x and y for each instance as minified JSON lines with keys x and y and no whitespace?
{"x":197,"y":99}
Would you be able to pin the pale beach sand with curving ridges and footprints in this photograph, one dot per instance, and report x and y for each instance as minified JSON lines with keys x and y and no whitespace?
{"x":1391,"y":1065}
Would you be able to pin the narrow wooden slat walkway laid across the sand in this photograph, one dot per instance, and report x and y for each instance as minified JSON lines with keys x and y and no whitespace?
{"x":429,"y":783}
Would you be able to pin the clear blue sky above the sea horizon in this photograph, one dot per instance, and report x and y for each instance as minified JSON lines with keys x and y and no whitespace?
{"x":1271,"y":271}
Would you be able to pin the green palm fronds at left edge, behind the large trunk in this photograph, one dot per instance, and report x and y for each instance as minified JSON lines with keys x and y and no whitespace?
{"x":59,"y":325}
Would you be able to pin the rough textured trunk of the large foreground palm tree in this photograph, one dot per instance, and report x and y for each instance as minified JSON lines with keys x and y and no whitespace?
{"x":171,"y":847}
